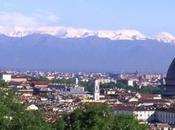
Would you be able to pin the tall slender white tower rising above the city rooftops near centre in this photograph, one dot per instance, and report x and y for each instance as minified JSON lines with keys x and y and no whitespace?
{"x":97,"y":90}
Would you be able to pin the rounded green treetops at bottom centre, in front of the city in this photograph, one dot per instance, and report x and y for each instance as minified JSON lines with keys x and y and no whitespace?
{"x":97,"y":117}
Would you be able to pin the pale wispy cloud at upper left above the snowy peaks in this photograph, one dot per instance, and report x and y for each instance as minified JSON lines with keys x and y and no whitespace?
{"x":15,"y":19}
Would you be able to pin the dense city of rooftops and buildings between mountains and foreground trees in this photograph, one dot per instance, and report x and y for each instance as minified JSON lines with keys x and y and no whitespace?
{"x":56,"y":93}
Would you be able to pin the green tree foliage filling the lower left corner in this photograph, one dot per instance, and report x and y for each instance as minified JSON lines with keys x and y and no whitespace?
{"x":14,"y":116}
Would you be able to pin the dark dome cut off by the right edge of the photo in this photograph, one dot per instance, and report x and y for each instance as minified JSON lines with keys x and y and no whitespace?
{"x":169,"y":88}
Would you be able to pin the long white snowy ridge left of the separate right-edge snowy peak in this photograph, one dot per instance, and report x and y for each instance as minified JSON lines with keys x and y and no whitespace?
{"x":63,"y":32}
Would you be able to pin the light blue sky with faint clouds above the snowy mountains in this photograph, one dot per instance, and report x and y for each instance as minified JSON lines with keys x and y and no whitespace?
{"x":148,"y":16}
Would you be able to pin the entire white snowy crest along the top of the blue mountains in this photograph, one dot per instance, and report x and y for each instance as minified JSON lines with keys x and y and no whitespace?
{"x":63,"y":32}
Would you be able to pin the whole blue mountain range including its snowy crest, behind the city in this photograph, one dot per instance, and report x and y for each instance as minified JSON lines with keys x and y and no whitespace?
{"x":88,"y":51}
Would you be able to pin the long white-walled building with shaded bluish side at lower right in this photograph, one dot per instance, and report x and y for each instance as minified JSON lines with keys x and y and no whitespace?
{"x":144,"y":114}
